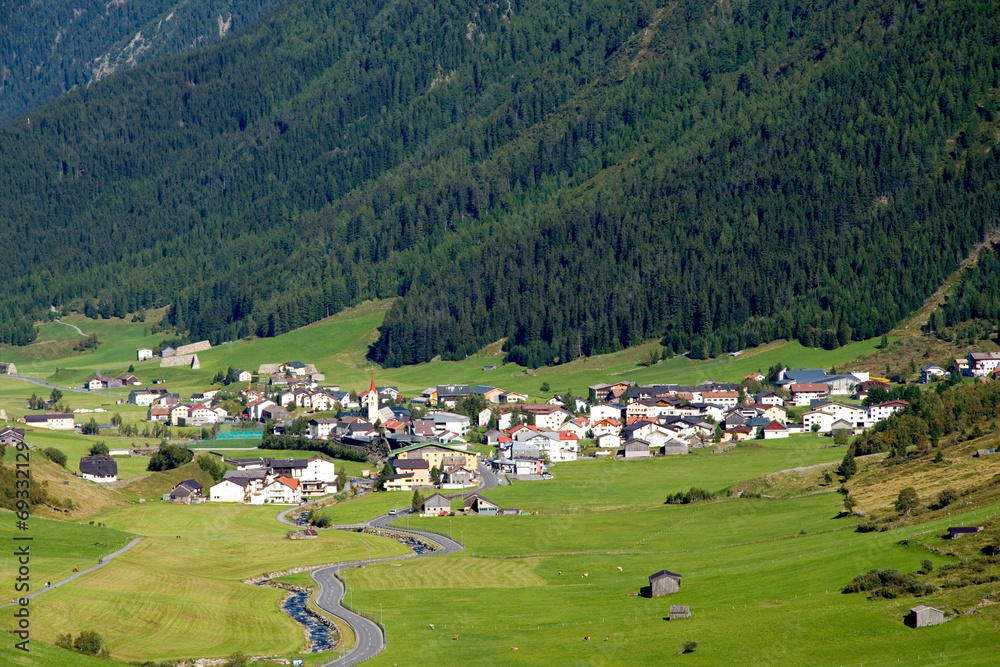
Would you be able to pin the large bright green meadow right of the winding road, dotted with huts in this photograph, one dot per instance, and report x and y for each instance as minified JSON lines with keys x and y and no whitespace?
{"x":750,"y":567}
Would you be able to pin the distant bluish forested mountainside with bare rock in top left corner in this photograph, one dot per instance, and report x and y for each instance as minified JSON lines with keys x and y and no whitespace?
{"x":49,"y":46}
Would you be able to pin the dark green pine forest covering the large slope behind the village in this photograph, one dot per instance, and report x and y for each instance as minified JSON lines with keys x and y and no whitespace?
{"x":573,"y":176}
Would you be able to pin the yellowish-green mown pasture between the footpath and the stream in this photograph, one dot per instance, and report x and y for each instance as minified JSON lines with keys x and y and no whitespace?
{"x":179,"y":593}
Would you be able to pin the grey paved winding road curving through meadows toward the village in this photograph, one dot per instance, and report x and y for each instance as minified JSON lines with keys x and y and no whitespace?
{"x":369,"y":635}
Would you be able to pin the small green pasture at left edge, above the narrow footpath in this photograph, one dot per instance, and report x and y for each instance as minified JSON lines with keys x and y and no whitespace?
{"x":56,"y":548}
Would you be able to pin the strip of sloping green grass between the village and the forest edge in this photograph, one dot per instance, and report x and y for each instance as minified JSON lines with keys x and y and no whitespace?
{"x":338,"y":344}
